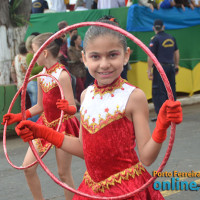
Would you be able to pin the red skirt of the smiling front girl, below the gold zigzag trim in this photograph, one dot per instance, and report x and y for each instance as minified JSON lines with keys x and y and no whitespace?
{"x":122,"y":186}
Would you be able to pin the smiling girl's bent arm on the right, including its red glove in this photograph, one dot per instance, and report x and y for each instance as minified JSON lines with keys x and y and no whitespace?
{"x":137,"y":110}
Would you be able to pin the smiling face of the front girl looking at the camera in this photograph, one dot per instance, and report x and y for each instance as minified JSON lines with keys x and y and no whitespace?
{"x":105,"y":57}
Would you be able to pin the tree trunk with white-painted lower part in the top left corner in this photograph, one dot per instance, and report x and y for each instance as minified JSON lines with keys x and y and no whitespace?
{"x":10,"y":37}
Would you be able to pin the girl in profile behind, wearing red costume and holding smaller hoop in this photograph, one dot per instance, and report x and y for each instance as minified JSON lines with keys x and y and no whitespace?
{"x":49,"y":105}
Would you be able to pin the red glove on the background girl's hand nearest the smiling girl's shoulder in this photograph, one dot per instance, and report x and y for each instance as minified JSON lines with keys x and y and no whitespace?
{"x":63,"y":104}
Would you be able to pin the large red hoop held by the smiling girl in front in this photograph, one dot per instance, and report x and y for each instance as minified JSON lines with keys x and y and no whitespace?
{"x":163,"y":76}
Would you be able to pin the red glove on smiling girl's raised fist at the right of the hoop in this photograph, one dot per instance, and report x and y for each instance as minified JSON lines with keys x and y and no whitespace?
{"x":170,"y":111}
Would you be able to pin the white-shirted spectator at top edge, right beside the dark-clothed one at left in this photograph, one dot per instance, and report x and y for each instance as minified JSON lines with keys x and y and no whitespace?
{"x":57,"y":5}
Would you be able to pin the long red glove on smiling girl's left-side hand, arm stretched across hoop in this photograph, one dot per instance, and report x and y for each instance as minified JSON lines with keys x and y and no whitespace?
{"x":29,"y":130}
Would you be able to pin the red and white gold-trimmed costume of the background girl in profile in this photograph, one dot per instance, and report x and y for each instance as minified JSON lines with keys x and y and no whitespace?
{"x":51,"y":115}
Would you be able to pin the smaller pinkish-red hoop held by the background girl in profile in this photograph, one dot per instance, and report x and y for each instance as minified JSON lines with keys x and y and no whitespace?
{"x":5,"y":126}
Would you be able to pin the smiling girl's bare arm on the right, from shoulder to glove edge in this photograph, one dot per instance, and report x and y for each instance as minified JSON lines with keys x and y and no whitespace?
{"x":138,"y":112}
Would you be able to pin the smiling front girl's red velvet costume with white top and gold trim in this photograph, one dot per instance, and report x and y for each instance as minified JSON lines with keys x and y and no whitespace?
{"x":113,"y":167}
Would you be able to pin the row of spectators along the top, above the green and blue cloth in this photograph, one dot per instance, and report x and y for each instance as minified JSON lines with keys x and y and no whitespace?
{"x":44,"y":6}
